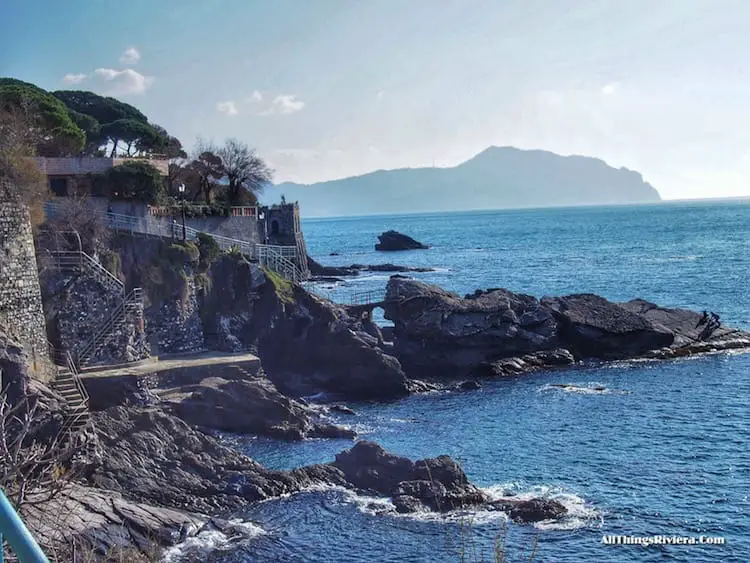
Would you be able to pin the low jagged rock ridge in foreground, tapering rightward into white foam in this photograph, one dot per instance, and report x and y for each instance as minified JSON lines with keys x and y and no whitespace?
{"x":155,"y":458}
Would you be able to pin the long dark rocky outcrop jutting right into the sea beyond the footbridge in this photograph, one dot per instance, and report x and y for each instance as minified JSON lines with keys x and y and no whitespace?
{"x":498,"y":332}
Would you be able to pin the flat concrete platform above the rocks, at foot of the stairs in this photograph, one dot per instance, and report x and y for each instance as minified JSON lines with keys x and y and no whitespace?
{"x":201,"y":362}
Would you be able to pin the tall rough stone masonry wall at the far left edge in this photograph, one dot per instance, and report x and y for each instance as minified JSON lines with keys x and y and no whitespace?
{"x":21,"y":313}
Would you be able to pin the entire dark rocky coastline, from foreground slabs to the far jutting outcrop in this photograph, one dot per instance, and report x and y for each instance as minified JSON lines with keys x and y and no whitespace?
{"x":156,"y":469}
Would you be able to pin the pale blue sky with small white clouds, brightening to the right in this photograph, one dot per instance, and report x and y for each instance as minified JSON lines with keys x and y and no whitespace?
{"x":325,"y":89}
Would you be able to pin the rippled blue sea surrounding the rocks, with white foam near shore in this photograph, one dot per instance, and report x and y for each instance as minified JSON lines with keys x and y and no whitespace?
{"x":663,"y":451}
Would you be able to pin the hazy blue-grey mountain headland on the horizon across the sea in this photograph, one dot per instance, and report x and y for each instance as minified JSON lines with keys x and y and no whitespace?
{"x":498,"y":177}
